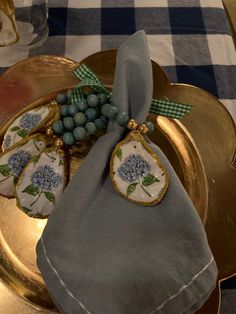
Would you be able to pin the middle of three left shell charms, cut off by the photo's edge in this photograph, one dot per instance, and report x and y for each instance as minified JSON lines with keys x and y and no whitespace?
{"x":15,"y":159}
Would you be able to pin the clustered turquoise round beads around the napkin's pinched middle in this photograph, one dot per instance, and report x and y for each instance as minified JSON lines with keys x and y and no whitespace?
{"x":89,"y":116}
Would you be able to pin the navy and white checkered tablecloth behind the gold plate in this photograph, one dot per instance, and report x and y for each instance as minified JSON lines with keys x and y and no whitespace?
{"x":190,"y":39}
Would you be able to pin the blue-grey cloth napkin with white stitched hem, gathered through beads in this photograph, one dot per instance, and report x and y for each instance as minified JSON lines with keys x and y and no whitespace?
{"x":100,"y":253}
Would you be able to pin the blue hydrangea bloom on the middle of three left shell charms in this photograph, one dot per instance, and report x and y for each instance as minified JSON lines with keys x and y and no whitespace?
{"x":18,"y":160}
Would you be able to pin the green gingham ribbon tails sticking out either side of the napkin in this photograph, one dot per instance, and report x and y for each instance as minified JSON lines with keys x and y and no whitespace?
{"x":166,"y":108}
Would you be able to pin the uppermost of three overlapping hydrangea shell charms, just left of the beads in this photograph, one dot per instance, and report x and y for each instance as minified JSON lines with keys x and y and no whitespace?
{"x":29,"y":122}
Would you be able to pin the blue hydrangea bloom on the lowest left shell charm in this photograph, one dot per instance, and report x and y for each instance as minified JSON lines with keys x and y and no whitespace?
{"x":46,"y":178}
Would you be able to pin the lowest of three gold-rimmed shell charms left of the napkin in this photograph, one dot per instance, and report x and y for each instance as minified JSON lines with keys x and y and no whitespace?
{"x":41,"y":183}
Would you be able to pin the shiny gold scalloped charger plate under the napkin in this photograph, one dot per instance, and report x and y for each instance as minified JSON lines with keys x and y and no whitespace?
{"x":196,"y":146}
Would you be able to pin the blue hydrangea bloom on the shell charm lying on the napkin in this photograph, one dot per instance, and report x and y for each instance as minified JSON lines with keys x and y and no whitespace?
{"x":133,"y":168}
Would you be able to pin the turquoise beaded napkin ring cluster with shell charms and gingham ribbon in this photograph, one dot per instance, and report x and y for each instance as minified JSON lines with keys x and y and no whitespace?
{"x":33,"y":166}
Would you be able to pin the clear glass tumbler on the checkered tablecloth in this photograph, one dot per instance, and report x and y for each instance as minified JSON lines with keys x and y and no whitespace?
{"x":23,"y":25}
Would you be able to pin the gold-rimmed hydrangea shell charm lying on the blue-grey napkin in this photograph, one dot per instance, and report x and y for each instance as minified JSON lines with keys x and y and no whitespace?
{"x":137,"y":172}
